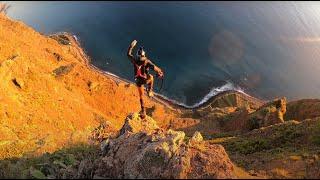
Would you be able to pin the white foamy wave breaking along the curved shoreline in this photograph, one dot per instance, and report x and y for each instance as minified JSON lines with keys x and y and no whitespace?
{"x":213,"y":92}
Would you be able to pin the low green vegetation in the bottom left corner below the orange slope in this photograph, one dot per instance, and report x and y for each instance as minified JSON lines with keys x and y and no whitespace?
{"x":54,"y":165}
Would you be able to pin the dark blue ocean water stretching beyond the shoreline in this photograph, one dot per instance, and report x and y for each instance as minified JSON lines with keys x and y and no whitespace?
{"x":265,"y":49}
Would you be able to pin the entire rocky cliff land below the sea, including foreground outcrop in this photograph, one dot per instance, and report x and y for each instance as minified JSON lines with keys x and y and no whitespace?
{"x":52,"y":100}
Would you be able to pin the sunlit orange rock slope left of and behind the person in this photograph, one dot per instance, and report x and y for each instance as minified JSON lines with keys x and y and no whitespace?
{"x":50,"y":96}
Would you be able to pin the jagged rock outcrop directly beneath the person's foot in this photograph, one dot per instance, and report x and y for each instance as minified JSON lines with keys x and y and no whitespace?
{"x":145,"y":151}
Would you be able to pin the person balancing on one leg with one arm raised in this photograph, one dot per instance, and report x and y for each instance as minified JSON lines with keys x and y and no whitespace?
{"x":141,"y":73}
